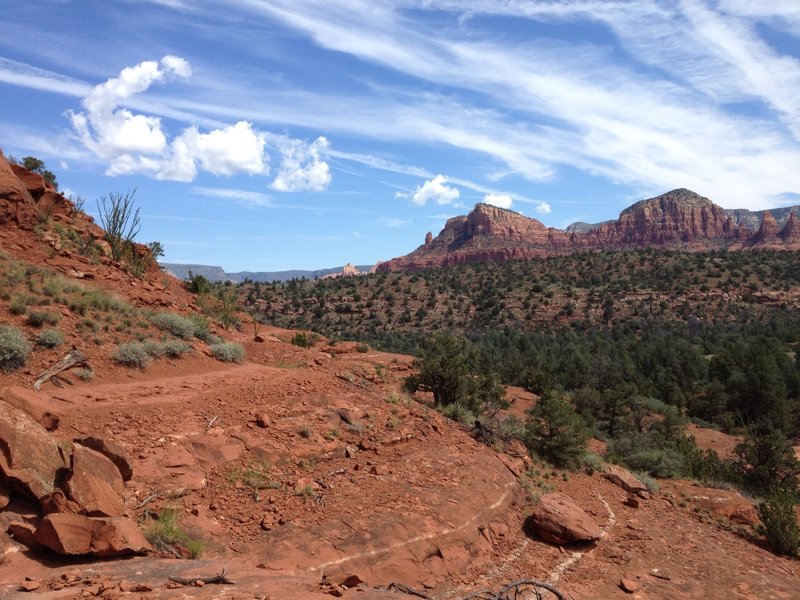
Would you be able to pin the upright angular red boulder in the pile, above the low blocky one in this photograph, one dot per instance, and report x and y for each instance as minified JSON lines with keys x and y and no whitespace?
{"x":96,"y":484}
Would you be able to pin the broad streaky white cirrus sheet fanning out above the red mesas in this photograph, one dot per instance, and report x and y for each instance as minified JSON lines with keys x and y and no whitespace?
{"x":666,"y":125}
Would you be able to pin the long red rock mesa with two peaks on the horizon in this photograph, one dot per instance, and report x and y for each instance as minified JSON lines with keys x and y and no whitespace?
{"x":680,"y":219}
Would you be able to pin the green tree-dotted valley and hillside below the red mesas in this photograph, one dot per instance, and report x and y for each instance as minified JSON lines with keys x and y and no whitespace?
{"x":623,"y":346}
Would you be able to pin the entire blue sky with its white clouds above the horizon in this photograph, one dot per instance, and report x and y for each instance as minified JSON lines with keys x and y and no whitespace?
{"x":280,"y":134}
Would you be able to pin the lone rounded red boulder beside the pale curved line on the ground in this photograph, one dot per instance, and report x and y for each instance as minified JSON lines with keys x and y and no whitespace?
{"x":557,"y":519}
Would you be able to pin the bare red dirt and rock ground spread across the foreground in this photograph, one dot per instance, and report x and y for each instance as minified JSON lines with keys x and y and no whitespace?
{"x":420,"y":503}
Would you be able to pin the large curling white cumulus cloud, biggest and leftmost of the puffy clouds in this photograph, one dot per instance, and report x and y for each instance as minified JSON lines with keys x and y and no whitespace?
{"x":136,"y":143}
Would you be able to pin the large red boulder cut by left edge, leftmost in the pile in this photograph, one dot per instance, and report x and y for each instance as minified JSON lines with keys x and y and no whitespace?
{"x":31,"y":461}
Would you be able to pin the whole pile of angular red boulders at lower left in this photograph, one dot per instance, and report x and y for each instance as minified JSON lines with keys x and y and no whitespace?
{"x":82,"y":507}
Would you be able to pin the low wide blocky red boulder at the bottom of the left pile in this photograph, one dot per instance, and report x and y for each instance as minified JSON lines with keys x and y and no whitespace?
{"x":77,"y":535}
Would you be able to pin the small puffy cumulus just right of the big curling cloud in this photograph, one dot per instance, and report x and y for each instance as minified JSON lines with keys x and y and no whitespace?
{"x":302,"y":167}
